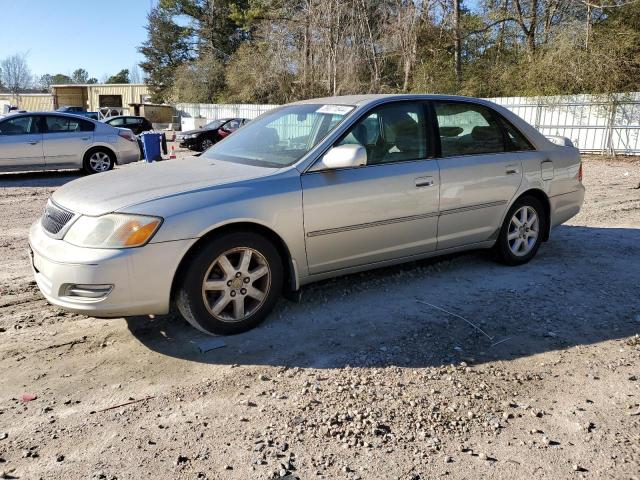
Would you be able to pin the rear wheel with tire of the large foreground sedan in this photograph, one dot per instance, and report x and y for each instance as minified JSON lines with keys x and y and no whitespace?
{"x":521,"y":233}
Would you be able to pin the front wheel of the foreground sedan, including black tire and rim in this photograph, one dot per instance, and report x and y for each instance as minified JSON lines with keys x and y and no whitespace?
{"x":231,"y":284}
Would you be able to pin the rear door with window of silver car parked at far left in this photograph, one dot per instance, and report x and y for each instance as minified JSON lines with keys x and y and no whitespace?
{"x":65,"y":140}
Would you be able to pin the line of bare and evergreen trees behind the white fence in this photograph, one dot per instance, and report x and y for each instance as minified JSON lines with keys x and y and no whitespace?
{"x":275,"y":51}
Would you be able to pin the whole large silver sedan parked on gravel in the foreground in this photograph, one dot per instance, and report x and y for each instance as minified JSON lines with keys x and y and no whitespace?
{"x":308,"y":191}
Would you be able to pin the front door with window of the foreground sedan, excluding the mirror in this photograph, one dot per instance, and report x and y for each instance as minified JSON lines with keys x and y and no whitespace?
{"x":385,"y":210}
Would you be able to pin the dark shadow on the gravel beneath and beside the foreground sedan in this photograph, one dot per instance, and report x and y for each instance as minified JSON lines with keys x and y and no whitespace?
{"x":580,"y":289}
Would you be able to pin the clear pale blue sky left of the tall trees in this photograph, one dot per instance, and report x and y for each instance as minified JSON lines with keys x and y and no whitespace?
{"x":59,"y":36}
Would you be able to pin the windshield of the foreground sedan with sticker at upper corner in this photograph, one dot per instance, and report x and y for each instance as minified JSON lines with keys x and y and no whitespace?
{"x":280,"y":137}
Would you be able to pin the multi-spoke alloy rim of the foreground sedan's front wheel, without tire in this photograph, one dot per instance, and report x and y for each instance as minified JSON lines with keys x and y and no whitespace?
{"x":236,"y":284}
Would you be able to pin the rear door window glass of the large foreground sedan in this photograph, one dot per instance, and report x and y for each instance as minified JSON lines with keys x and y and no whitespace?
{"x":467,"y":129}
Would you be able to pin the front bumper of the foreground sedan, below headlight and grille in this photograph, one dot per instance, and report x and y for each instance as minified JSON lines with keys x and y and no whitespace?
{"x":141,"y":277}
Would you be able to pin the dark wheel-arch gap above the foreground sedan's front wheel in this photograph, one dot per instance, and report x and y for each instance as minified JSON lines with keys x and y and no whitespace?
{"x":290,"y":270}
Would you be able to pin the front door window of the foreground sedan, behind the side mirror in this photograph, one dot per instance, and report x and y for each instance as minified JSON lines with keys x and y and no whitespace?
{"x":391,"y":133}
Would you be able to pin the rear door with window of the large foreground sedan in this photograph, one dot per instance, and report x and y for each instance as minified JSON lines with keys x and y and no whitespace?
{"x":479,"y":173}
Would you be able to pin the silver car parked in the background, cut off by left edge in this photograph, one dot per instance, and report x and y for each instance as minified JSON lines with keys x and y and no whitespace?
{"x":53,"y":140}
